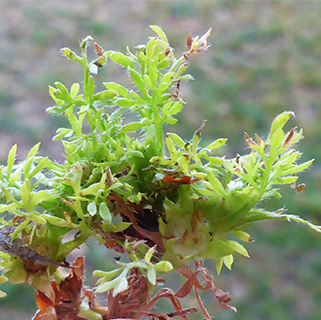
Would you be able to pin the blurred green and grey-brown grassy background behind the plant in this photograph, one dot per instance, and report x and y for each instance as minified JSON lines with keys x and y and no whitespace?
{"x":264,"y":59}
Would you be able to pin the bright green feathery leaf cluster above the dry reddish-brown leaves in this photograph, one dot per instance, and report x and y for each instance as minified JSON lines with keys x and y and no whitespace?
{"x":159,"y":199}
